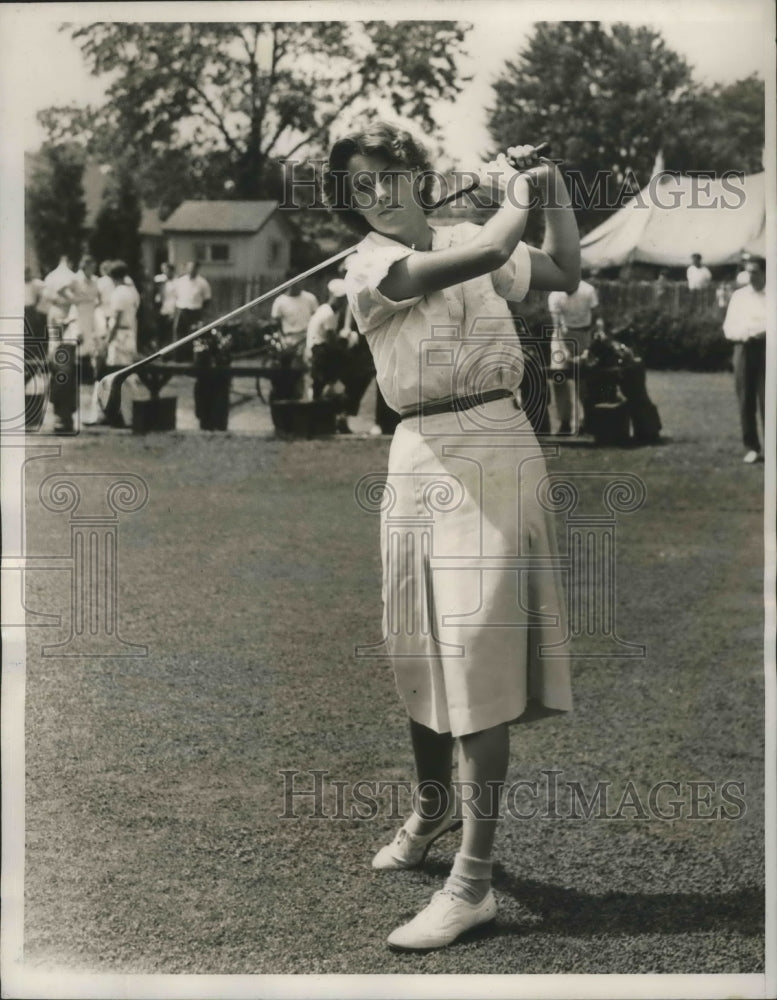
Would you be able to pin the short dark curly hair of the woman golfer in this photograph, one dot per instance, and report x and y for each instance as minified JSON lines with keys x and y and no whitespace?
{"x":379,"y":138}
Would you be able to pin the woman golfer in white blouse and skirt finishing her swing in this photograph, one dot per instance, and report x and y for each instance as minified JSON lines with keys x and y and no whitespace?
{"x":473,"y":602}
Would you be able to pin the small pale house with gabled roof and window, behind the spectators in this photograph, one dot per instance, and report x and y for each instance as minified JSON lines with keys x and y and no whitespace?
{"x":230,"y":239}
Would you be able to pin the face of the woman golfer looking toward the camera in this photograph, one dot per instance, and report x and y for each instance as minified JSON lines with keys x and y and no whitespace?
{"x":385,"y":194}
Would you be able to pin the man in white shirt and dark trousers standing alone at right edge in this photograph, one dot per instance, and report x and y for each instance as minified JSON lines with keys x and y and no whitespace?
{"x":745,"y":326}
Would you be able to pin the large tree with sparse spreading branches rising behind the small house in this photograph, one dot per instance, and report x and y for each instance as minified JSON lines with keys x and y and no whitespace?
{"x":230,"y":100}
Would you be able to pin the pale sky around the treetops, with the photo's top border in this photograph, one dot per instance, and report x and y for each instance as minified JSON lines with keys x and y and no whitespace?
{"x":723,"y":40}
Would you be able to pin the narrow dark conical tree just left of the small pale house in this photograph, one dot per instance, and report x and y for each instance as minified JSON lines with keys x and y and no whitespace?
{"x":115,"y":232}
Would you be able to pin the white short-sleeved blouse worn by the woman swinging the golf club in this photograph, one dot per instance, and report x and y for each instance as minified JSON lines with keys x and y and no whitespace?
{"x":449,"y":343}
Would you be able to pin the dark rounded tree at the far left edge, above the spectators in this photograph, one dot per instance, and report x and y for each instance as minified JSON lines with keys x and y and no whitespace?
{"x":55,"y":206}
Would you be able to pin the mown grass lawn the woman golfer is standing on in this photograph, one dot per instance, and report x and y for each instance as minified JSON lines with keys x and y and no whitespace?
{"x":154,"y":785}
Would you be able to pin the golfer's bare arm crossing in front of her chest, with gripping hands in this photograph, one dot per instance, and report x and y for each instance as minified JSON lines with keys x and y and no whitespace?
{"x":424,"y":272}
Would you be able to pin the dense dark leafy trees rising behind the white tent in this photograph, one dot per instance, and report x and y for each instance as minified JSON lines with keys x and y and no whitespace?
{"x":609,"y":98}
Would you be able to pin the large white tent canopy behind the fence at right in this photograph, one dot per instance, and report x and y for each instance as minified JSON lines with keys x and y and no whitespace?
{"x":674,"y":217}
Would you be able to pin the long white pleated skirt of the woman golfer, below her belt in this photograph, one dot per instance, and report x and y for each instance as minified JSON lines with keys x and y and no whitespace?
{"x":474,"y":607}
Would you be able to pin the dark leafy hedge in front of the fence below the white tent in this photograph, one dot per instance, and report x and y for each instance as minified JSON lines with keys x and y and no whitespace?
{"x":692,"y":341}
